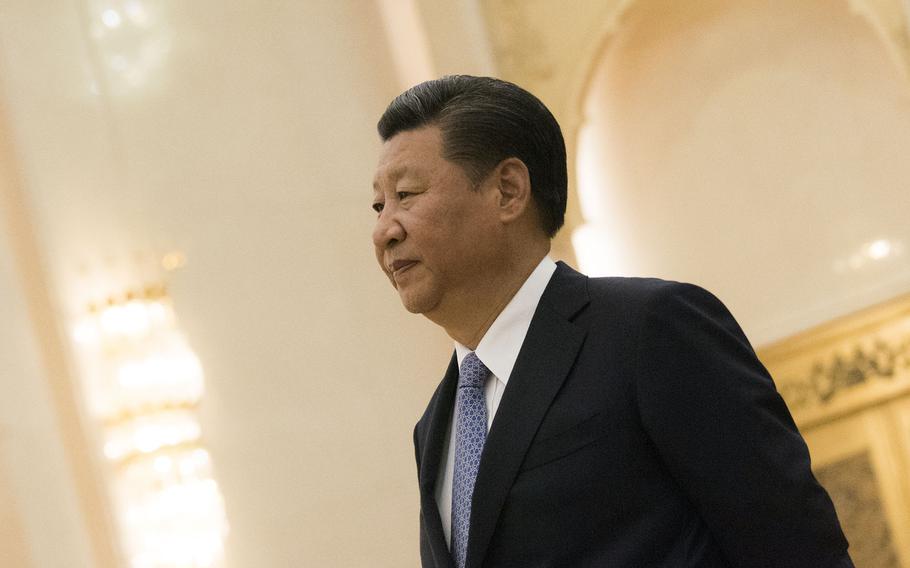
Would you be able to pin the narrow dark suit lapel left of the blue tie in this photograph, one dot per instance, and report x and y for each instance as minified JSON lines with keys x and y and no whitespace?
{"x":431,"y":453}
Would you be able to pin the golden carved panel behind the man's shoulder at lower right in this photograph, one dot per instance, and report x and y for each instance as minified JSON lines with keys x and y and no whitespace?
{"x":846,"y":383}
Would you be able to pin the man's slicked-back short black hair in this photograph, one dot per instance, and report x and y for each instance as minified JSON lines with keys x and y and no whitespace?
{"x":484,"y":121}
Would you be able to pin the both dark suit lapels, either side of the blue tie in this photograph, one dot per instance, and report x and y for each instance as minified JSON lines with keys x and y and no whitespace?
{"x":544,"y":361}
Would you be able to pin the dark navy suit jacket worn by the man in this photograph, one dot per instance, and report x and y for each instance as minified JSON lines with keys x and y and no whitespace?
{"x":638,"y":430}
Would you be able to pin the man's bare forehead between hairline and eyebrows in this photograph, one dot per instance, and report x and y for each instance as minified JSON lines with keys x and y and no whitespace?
{"x":416,"y":152}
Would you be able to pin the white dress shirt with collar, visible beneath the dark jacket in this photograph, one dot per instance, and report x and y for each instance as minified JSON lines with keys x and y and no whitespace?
{"x":498,"y":350}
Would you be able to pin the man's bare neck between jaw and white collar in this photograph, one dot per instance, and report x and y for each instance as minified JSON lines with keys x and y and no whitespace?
{"x":467,"y":321}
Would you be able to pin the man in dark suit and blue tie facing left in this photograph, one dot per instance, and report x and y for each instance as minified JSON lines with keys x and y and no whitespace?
{"x":582,"y":421}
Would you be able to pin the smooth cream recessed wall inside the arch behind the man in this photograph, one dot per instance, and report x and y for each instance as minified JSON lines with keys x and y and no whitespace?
{"x":683,"y":192}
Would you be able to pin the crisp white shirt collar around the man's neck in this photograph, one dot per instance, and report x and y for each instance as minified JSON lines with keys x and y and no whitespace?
{"x":499,"y":347}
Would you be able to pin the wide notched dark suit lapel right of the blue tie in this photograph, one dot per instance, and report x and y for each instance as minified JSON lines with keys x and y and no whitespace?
{"x":546,"y":357}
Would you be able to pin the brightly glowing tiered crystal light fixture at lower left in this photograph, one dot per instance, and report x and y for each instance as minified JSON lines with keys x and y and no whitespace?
{"x":143,"y":386}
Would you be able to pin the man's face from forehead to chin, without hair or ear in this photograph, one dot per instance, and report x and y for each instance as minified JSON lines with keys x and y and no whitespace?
{"x":435,"y":233}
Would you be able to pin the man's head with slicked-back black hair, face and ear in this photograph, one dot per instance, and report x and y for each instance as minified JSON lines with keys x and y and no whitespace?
{"x":470,"y":186}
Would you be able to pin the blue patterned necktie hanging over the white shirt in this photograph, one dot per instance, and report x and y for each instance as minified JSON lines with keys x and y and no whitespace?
{"x":470,"y":434}
